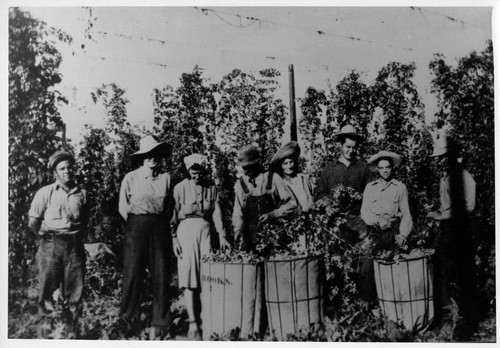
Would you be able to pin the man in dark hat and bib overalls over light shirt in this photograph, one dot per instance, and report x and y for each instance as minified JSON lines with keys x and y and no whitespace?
{"x":259,"y":197}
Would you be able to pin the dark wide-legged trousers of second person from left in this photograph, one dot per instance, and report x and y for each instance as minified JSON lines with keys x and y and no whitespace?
{"x":147,"y":241}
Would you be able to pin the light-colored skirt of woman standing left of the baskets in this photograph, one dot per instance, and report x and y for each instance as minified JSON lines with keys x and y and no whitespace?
{"x":194,"y":239}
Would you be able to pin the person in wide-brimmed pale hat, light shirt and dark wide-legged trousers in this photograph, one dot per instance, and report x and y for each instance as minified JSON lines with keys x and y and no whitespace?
{"x":145,"y":195}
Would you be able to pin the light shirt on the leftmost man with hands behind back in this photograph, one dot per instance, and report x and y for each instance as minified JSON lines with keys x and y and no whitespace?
{"x":61,"y":212}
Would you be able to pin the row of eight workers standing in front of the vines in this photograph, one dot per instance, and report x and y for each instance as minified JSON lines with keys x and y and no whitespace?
{"x":161,"y":218}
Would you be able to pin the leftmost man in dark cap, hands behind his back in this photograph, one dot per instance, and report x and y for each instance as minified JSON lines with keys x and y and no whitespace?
{"x":58,"y":217}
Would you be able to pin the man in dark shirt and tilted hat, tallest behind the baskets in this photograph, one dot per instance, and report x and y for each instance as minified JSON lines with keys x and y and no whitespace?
{"x":346,"y":171}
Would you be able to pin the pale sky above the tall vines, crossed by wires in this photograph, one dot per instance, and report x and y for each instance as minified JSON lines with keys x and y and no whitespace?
{"x":142,"y":48}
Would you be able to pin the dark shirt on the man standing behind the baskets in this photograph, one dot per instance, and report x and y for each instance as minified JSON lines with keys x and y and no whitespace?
{"x":356,"y":175}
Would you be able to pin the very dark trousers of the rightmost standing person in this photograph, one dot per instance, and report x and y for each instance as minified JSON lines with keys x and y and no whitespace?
{"x":454,"y":262}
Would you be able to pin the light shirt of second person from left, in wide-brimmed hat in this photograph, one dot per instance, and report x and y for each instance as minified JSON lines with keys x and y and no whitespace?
{"x":142,"y":193}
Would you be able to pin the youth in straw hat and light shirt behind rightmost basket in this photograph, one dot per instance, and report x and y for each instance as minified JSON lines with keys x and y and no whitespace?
{"x":386,"y":211}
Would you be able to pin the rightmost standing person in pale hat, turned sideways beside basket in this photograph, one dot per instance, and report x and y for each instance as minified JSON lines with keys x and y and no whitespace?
{"x":454,"y":256}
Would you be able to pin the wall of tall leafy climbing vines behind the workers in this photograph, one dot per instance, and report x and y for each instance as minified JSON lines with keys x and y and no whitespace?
{"x":217,"y":118}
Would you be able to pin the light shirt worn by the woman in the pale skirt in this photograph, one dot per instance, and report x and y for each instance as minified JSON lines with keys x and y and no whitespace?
{"x":195,"y":200}
